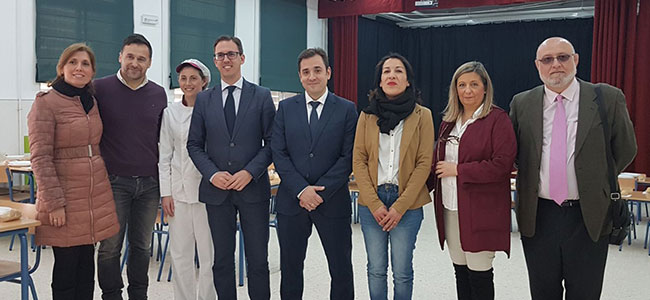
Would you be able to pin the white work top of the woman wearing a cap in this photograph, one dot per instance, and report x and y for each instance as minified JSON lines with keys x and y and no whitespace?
{"x":179,"y":177}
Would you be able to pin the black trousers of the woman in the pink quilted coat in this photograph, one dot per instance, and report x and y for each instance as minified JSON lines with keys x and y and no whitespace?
{"x":73,"y":275}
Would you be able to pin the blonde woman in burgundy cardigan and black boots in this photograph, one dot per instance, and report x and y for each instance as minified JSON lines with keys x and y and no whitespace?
{"x":474,"y":155}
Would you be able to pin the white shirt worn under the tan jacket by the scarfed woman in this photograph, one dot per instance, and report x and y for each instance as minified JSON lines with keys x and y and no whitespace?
{"x":389,"y":144}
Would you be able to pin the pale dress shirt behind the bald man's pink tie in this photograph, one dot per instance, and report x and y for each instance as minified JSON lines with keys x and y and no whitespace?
{"x":571,"y":105}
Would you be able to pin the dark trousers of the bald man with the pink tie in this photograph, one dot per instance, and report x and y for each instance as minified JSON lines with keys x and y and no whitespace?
{"x":561,"y":250}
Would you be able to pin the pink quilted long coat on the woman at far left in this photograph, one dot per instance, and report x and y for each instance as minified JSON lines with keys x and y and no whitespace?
{"x":69,"y":171}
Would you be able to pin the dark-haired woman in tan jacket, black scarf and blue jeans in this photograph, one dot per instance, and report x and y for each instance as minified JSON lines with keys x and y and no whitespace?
{"x":393,"y":149}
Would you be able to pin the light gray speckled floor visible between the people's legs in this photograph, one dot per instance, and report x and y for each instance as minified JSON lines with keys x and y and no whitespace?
{"x":627,"y":275}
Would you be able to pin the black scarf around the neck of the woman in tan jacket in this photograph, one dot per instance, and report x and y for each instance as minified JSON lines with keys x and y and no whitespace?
{"x":390,"y":112}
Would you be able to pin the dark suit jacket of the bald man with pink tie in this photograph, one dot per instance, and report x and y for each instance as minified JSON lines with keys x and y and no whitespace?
{"x":526,"y":113}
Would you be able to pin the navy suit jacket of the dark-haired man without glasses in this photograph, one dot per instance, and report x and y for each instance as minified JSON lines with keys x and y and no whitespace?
{"x":324,"y":160}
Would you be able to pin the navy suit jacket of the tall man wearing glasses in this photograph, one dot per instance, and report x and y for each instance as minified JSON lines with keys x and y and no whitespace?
{"x":212,"y":149}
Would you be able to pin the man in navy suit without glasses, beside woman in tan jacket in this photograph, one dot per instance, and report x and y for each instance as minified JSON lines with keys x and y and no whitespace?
{"x":312,"y":144}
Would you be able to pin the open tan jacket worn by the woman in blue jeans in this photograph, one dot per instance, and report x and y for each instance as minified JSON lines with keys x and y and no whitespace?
{"x":416,"y":153}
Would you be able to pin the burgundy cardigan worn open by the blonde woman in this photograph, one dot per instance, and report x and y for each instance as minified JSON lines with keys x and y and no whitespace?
{"x":486,"y":154}
